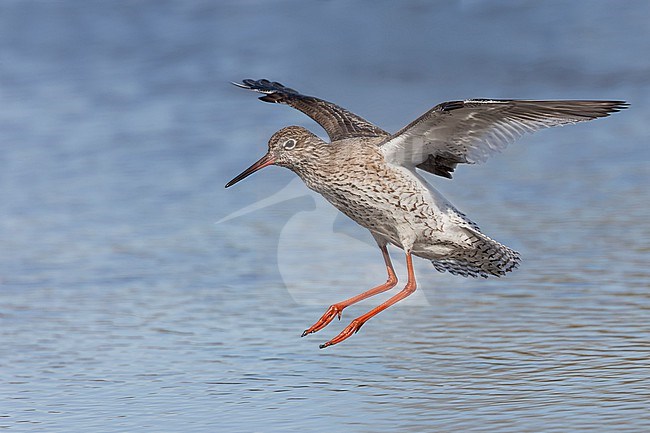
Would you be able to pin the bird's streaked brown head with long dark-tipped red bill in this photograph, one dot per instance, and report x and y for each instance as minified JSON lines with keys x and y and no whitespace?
{"x":291,"y":147}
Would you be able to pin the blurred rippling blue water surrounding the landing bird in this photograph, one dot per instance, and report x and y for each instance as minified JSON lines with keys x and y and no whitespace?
{"x":124,"y":307}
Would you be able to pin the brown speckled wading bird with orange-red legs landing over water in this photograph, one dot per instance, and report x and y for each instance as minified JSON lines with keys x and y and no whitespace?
{"x":375,"y":178}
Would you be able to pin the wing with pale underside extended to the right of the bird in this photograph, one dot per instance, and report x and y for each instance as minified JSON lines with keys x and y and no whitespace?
{"x":469,"y":131}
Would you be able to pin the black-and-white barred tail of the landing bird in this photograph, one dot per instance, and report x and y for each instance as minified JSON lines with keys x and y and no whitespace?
{"x":485,"y":257}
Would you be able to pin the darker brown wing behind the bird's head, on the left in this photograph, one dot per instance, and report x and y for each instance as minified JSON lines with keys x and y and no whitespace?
{"x":338,"y":122}
